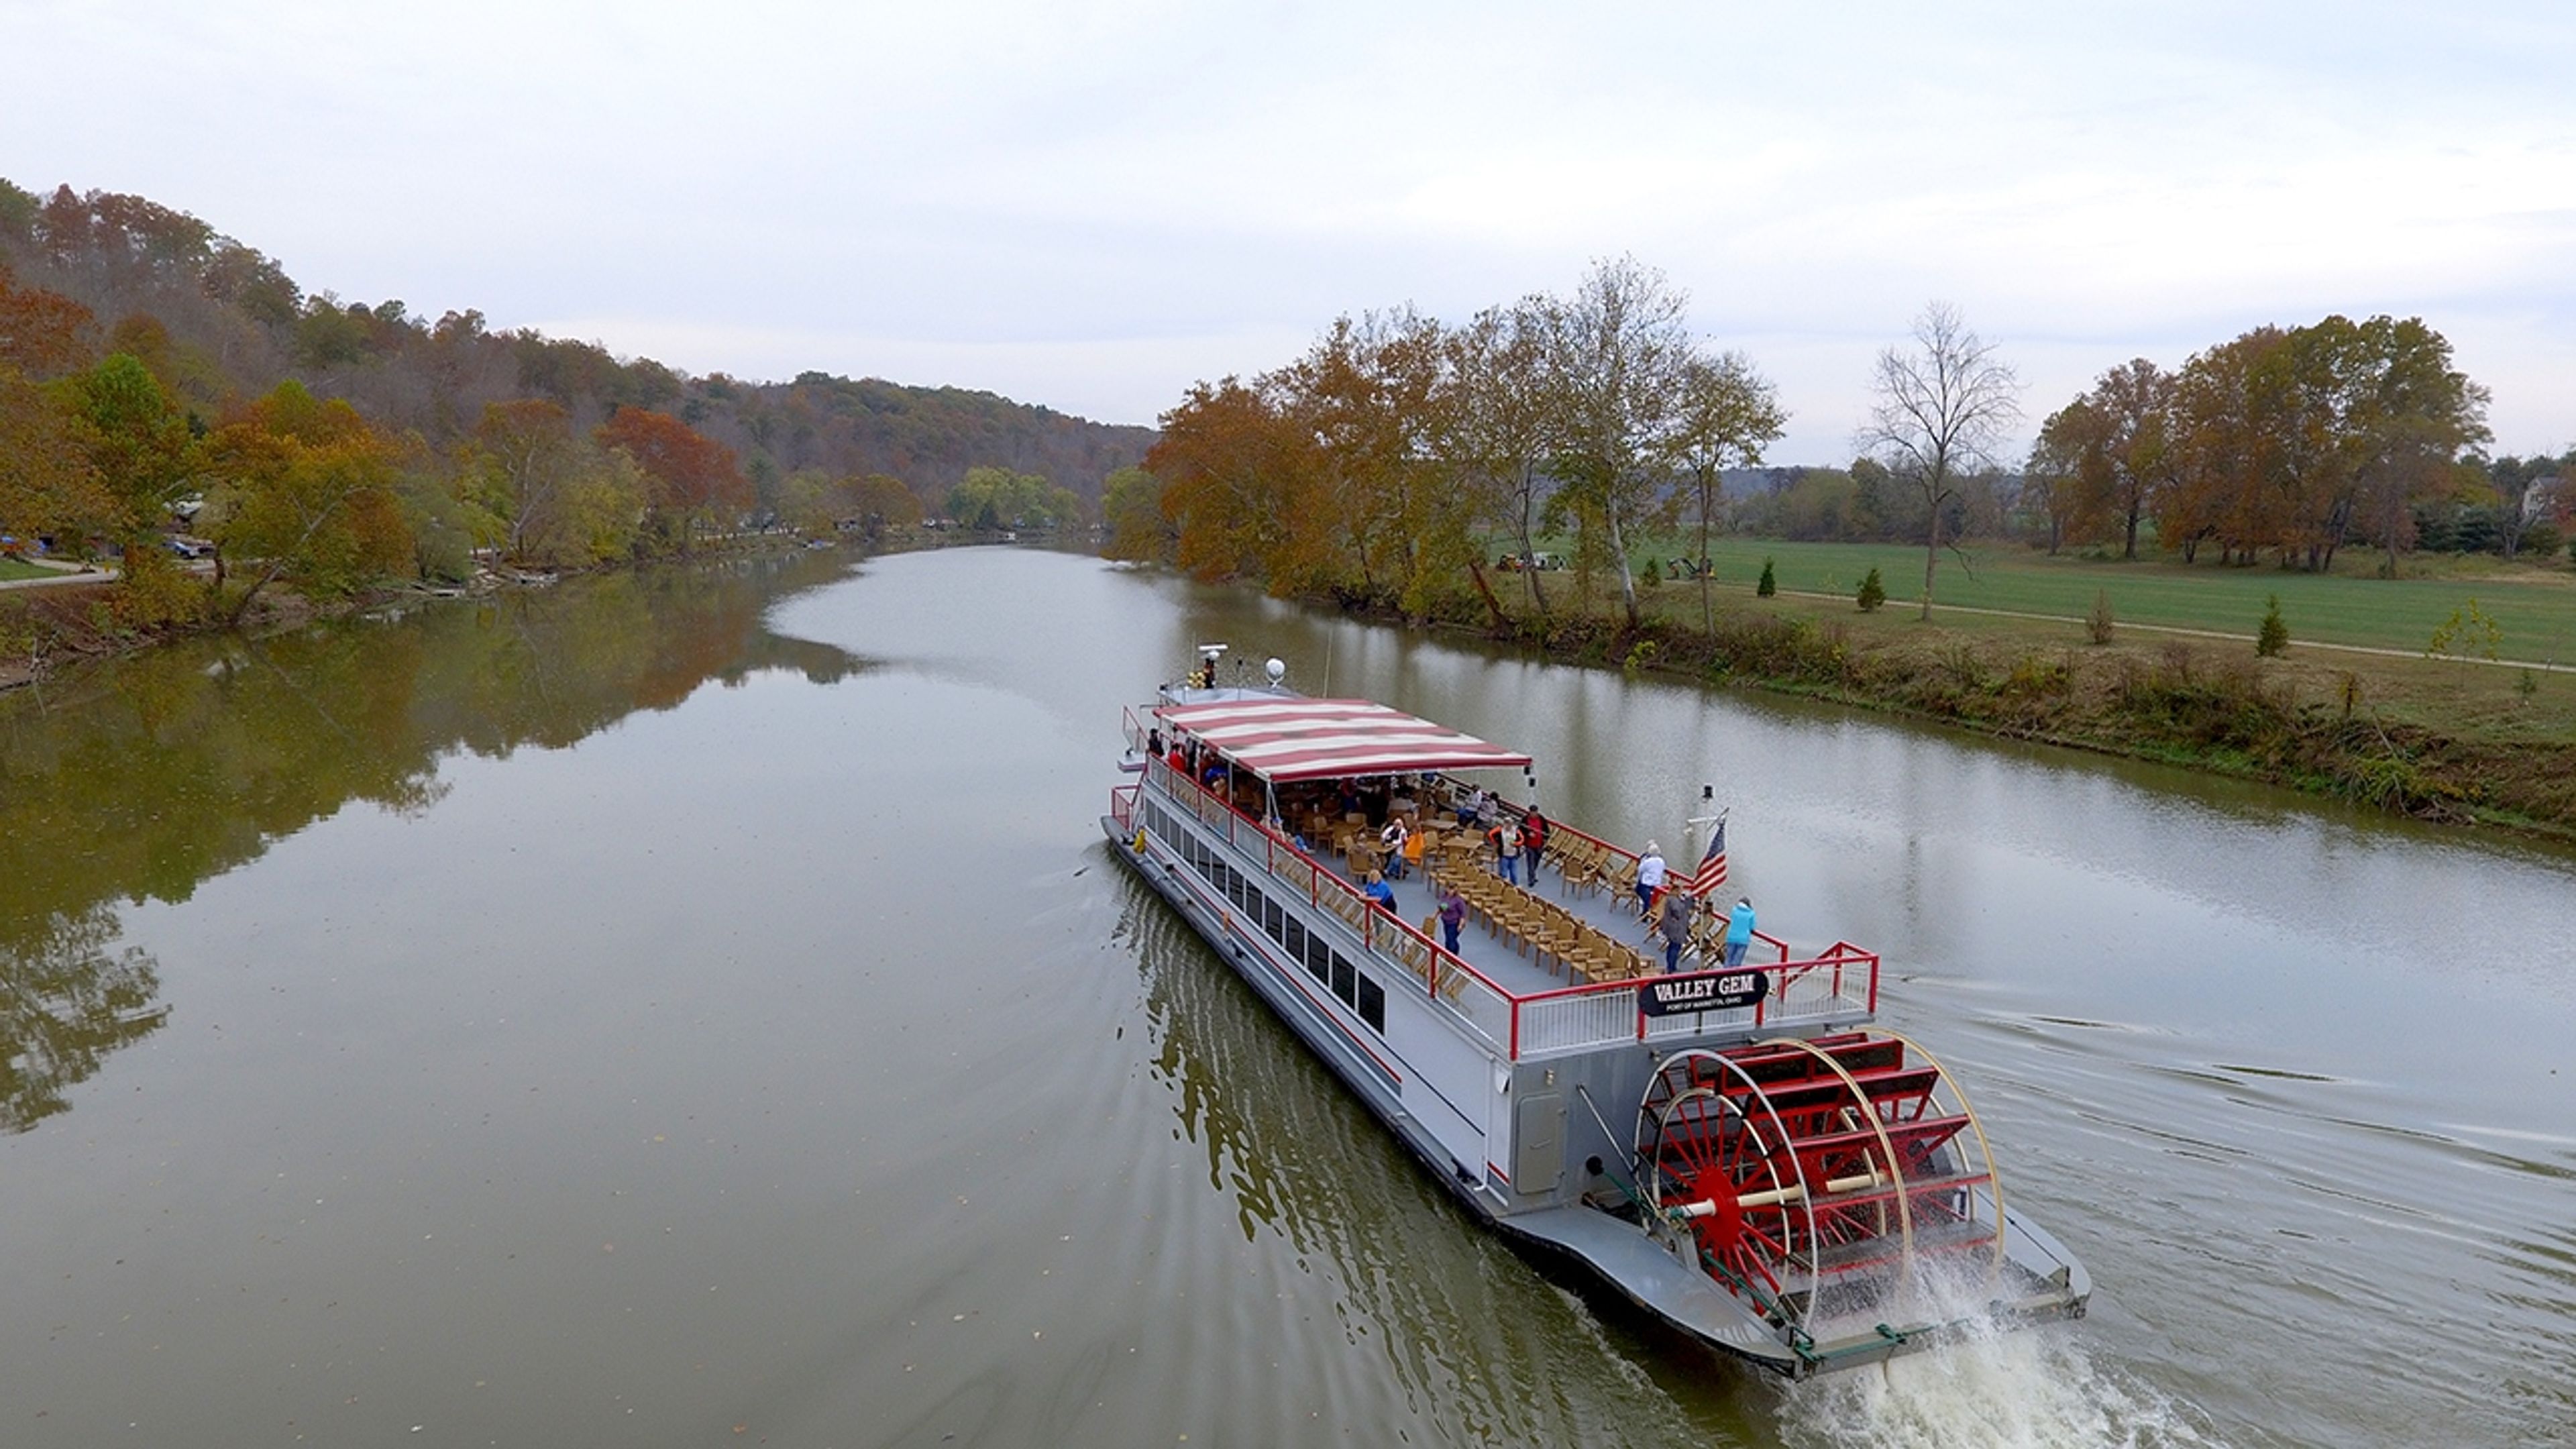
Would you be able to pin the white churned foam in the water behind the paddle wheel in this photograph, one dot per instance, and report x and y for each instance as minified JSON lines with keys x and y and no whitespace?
{"x":1990,"y":1388}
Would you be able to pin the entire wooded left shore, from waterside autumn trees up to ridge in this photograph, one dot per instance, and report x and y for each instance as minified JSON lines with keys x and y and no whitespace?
{"x":148,"y":360}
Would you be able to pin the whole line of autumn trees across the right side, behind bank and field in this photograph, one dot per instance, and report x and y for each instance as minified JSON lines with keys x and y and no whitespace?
{"x":1382,"y":460}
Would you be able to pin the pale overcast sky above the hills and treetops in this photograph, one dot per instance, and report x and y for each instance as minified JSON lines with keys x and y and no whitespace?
{"x":1096,"y":205}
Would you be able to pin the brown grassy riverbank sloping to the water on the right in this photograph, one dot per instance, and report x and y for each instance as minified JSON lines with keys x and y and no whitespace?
{"x":2433,"y":739}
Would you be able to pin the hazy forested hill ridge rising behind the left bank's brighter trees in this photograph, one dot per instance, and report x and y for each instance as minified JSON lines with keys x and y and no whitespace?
{"x":223,"y":324}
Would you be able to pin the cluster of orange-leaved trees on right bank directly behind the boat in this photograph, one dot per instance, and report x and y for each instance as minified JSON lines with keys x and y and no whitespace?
{"x":1379,"y":463}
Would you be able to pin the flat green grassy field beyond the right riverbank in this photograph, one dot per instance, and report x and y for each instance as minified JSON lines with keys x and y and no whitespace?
{"x":2533,"y":605}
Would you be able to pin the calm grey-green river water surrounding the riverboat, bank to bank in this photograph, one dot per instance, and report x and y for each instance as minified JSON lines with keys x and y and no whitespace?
{"x":699,"y":1009}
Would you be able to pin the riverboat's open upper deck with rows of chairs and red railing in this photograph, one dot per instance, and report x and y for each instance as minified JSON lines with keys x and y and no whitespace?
{"x":1537,"y":973}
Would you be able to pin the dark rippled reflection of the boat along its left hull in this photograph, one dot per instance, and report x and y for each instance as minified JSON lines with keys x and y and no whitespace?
{"x":1467,"y":1327}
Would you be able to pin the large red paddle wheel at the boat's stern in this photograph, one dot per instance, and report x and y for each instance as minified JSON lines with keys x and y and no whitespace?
{"x":1820,"y":1177}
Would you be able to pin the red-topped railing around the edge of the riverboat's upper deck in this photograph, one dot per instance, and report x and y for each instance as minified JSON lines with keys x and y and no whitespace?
{"x":1539,"y":1022}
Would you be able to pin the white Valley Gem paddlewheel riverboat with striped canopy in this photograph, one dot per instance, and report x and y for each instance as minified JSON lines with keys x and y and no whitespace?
{"x":1735,"y":1149}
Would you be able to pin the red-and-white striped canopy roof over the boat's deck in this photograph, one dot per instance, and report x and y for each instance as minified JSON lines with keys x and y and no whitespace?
{"x":1331,"y":739}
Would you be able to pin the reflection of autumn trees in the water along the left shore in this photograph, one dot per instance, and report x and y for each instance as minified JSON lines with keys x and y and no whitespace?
{"x":143,"y":777}
